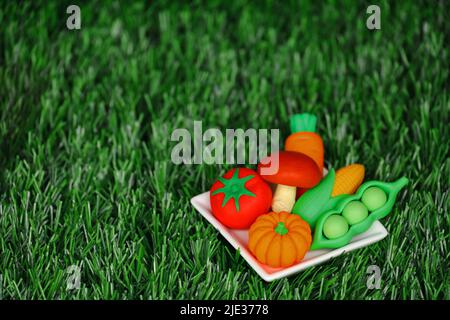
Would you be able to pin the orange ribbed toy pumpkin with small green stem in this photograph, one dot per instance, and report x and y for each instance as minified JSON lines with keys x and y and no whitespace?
{"x":279,"y":239}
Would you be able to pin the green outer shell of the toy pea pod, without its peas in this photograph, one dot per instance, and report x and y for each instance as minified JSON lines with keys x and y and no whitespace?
{"x":391,"y":189}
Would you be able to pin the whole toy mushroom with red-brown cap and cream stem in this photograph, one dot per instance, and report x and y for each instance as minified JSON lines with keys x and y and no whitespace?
{"x":294,"y":170}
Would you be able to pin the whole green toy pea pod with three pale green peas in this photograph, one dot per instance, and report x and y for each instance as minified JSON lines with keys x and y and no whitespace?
{"x":376,"y":195}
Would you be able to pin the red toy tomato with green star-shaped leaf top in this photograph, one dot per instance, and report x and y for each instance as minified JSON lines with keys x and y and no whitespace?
{"x":239,"y":197}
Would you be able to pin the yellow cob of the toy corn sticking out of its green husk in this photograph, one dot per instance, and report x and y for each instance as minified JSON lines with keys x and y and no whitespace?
{"x":348,"y":179}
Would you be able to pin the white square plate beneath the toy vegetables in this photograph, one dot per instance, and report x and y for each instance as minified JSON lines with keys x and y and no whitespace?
{"x":239,"y":239}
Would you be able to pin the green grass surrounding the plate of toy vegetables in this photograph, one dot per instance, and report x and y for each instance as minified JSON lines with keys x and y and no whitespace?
{"x":86,"y":116}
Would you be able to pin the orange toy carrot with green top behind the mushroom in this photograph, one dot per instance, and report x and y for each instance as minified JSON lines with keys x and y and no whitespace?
{"x":304,"y":139}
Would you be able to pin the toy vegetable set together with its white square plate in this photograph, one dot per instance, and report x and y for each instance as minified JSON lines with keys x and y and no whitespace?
{"x":309,"y":218}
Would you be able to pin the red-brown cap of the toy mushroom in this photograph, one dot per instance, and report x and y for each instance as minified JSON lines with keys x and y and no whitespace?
{"x":295,"y":169}
